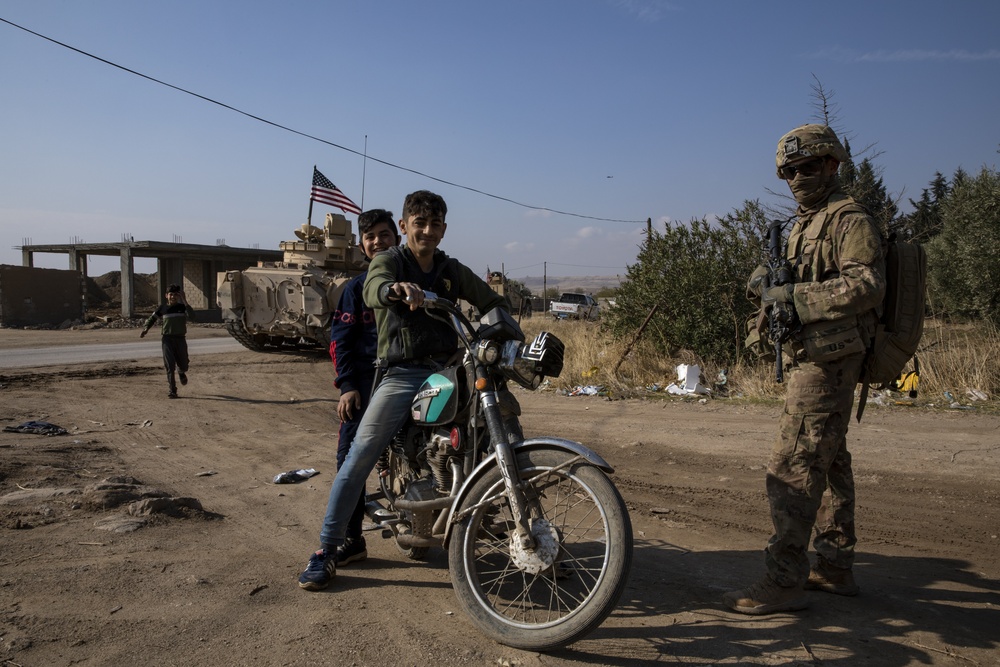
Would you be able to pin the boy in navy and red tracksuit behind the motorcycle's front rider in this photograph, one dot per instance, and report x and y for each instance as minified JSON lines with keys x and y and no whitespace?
{"x":353,"y":347}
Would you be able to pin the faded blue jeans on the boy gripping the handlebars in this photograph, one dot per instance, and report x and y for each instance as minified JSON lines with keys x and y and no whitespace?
{"x":385,"y":415}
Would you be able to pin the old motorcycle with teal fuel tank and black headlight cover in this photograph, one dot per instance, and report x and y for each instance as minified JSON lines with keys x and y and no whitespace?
{"x":539,"y":540}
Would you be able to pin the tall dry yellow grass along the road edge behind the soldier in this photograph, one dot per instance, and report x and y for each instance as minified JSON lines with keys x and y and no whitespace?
{"x":954,"y":358}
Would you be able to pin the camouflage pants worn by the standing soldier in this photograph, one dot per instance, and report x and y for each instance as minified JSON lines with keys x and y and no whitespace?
{"x":809,"y":479}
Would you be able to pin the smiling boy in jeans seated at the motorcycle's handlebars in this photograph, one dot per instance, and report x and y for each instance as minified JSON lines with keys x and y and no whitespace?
{"x":411,"y":346}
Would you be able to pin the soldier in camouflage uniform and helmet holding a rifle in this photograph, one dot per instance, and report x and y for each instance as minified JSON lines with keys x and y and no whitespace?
{"x":837,"y":257}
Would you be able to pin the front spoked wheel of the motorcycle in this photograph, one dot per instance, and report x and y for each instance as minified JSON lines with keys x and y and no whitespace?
{"x":563,"y":588}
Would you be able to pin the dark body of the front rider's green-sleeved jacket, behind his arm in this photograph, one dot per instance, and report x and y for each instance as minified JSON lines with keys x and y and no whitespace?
{"x":412,"y":334}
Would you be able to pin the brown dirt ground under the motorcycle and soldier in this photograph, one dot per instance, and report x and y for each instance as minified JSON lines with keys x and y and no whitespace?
{"x":203,"y":572}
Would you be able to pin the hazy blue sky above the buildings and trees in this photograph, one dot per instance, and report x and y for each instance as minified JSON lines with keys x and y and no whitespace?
{"x":613,"y":109}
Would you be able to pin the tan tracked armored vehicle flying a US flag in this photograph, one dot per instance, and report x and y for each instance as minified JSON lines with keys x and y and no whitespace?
{"x":287,"y":305}
